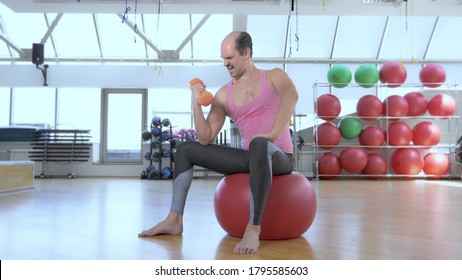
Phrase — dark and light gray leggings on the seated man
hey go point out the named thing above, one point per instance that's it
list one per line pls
(262, 161)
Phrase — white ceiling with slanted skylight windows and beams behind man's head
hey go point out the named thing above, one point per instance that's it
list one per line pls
(87, 31)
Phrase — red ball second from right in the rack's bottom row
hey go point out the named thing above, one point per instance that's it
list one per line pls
(407, 161)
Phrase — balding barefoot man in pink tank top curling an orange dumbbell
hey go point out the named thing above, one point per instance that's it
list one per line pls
(260, 103)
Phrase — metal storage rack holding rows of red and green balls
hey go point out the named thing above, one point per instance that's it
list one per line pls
(449, 144)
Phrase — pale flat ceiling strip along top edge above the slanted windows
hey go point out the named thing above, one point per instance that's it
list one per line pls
(242, 7)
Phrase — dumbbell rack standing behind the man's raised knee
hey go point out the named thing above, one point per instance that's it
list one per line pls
(160, 147)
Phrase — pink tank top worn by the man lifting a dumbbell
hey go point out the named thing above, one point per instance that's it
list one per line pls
(258, 115)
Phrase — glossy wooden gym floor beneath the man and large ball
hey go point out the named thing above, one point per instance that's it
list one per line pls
(99, 218)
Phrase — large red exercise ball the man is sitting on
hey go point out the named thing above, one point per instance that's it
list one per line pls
(289, 212)
